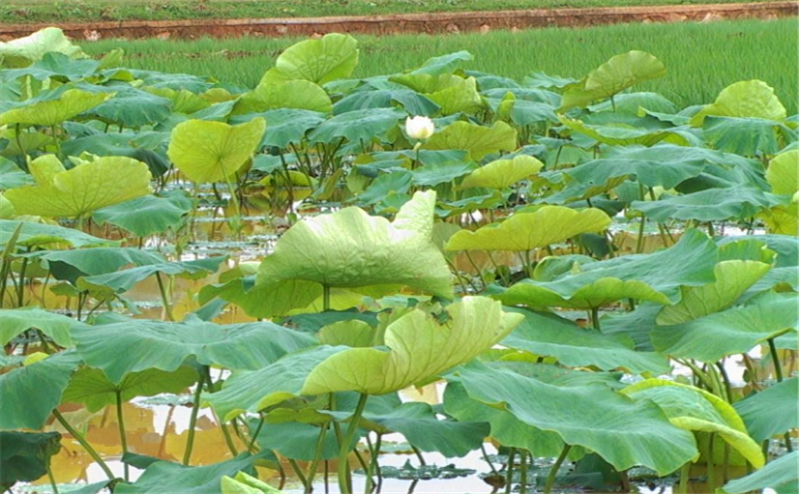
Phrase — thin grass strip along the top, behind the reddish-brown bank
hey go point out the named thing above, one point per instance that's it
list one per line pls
(22, 11)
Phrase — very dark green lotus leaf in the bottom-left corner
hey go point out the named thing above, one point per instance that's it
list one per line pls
(26, 456)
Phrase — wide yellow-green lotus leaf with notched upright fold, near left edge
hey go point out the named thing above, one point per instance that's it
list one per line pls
(76, 192)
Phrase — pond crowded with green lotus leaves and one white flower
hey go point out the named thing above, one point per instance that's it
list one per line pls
(546, 285)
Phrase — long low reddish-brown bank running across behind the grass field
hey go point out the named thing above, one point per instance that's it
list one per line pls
(451, 22)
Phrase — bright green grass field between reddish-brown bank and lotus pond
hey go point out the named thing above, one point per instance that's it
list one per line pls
(701, 59)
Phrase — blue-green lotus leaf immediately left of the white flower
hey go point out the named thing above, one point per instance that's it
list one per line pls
(357, 126)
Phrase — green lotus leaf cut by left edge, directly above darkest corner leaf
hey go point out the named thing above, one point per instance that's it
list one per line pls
(32, 391)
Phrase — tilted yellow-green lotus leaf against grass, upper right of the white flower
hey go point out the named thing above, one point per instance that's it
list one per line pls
(617, 74)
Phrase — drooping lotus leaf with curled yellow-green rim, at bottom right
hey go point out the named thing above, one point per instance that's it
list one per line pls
(694, 409)
